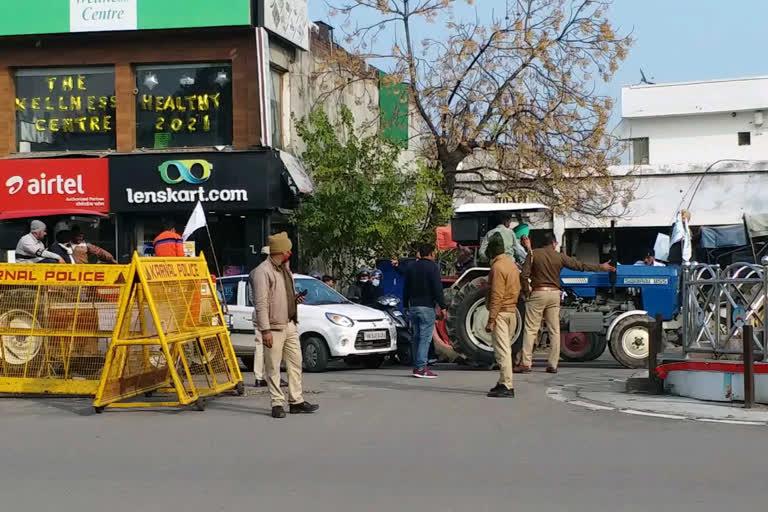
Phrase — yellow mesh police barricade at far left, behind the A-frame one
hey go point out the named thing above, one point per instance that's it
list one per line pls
(56, 323)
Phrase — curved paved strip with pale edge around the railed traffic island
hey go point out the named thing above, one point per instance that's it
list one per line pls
(606, 394)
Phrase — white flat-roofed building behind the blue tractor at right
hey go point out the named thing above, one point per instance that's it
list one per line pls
(701, 146)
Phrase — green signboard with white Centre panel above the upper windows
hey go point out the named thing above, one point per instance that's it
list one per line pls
(63, 16)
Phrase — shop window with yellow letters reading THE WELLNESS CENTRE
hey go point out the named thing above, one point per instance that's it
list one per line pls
(65, 109)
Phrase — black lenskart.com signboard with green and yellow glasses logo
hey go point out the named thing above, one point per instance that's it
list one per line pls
(222, 182)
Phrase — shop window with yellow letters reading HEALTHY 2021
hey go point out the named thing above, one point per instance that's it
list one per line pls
(186, 105)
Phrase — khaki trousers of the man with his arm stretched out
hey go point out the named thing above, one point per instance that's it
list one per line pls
(547, 304)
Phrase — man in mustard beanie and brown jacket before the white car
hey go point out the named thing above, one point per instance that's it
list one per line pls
(275, 315)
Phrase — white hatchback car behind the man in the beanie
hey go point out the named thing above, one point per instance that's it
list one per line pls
(330, 326)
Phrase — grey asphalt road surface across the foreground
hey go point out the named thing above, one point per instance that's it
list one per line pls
(381, 441)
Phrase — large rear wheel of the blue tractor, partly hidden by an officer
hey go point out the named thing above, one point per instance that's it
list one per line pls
(467, 318)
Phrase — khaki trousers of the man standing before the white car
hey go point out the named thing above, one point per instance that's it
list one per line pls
(285, 345)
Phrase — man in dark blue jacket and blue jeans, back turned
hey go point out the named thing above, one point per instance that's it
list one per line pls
(422, 294)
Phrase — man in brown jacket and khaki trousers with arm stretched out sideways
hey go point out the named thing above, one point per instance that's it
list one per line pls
(543, 267)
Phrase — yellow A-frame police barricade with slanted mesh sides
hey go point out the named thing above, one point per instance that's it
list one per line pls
(170, 334)
